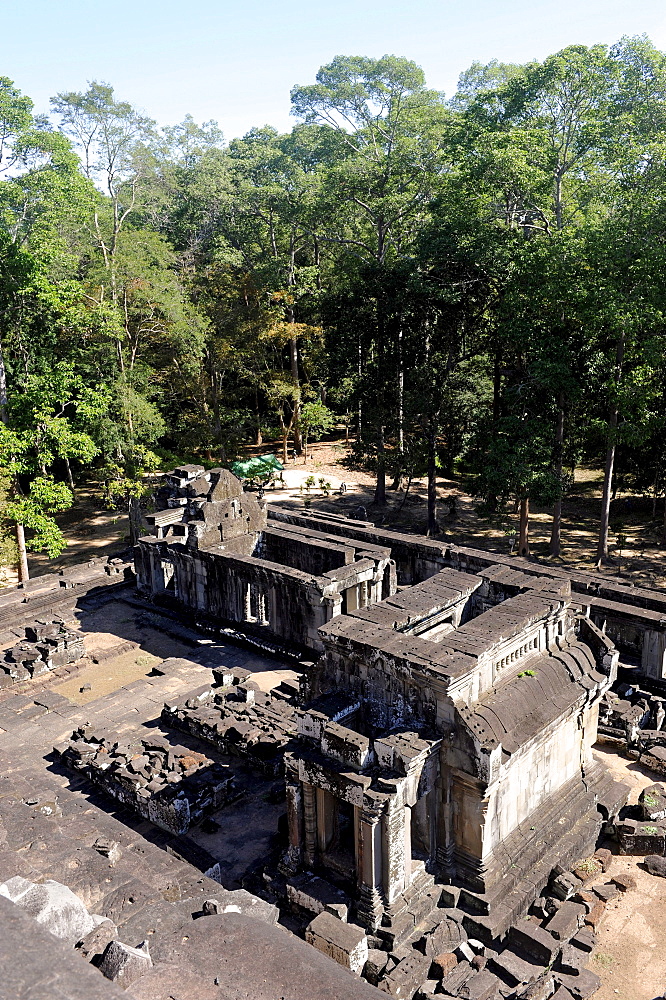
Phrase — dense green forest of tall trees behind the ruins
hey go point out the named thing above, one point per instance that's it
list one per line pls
(470, 283)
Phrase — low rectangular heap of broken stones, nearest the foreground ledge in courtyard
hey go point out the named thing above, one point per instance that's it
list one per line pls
(171, 786)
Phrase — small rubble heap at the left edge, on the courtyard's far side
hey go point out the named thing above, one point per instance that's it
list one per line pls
(47, 644)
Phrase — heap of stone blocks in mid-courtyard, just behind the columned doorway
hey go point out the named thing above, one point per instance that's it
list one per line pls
(238, 718)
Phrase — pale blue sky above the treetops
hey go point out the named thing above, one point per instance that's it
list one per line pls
(236, 61)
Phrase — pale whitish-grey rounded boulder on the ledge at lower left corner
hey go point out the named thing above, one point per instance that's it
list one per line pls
(52, 905)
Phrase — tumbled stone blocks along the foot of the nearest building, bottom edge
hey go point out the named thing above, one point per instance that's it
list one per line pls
(543, 955)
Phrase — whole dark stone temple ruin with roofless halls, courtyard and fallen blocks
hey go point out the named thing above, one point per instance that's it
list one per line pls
(422, 759)
